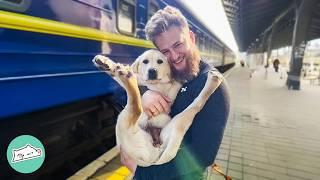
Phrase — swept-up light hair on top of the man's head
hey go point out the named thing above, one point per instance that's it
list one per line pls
(162, 20)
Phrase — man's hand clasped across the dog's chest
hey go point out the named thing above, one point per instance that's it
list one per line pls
(154, 103)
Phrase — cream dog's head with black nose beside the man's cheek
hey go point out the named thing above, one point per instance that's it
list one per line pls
(152, 67)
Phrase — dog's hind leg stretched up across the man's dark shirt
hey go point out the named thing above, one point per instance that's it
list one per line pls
(178, 126)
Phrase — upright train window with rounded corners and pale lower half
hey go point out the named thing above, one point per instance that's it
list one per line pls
(126, 16)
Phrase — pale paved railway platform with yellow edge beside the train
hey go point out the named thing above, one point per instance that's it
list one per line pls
(272, 132)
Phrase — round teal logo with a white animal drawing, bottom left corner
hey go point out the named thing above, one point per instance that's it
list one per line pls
(25, 154)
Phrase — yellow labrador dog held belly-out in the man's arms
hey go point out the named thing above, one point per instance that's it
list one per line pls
(152, 69)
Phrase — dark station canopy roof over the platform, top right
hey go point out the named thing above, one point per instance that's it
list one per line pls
(252, 21)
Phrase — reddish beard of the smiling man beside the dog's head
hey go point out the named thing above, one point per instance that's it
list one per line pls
(190, 71)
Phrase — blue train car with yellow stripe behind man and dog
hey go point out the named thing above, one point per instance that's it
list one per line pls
(49, 87)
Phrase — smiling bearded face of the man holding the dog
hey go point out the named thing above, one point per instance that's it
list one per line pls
(178, 45)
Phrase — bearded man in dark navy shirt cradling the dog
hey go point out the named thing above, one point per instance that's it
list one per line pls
(168, 30)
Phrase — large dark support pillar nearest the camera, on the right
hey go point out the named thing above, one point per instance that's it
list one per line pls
(304, 12)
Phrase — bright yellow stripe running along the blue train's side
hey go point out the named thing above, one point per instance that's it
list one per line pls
(34, 24)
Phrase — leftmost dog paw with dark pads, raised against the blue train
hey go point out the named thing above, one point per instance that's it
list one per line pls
(104, 64)
